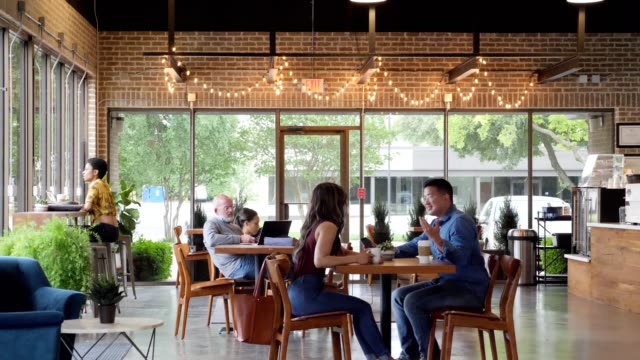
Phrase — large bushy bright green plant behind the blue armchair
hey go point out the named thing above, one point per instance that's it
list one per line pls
(63, 251)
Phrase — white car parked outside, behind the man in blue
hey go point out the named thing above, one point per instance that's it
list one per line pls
(490, 212)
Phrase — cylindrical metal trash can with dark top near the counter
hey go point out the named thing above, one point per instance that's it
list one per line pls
(522, 243)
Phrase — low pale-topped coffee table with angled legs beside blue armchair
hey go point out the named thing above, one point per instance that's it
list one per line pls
(121, 326)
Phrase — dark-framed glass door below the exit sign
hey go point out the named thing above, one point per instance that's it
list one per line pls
(305, 158)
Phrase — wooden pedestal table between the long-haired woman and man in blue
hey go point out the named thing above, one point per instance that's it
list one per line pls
(386, 269)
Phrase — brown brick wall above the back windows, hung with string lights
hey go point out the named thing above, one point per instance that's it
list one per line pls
(130, 80)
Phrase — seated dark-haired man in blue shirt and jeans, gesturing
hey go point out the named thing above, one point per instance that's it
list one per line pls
(453, 240)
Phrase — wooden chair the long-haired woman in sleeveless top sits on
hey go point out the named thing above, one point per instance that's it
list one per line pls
(284, 324)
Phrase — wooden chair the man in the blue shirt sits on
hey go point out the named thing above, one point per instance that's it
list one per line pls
(489, 321)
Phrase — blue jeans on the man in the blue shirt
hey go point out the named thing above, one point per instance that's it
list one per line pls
(412, 307)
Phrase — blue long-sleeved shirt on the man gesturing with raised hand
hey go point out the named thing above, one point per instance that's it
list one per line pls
(460, 248)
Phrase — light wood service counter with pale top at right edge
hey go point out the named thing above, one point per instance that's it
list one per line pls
(610, 274)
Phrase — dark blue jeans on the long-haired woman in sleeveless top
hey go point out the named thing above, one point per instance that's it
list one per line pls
(307, 297)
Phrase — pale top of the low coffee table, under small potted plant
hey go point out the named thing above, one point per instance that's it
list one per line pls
(121, 324)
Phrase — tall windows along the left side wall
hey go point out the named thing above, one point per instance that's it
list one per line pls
(40, 124)
